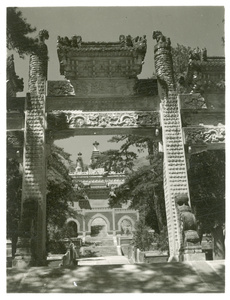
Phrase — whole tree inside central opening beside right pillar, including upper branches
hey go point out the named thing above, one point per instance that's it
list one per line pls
(142, 189)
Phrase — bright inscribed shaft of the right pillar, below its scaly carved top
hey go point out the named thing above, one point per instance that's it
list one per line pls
(175, 172)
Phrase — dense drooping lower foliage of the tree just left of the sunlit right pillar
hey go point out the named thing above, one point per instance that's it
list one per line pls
(143, 189)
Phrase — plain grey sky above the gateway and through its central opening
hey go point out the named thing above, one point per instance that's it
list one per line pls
(188, 25)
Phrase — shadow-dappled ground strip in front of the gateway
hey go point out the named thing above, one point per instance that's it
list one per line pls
(139, 278)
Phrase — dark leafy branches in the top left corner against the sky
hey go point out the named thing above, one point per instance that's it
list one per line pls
(17, 31)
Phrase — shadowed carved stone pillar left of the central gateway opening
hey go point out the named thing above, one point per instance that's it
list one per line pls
(32, 242)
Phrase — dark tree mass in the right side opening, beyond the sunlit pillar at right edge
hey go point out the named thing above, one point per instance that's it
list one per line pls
(207, 189)
